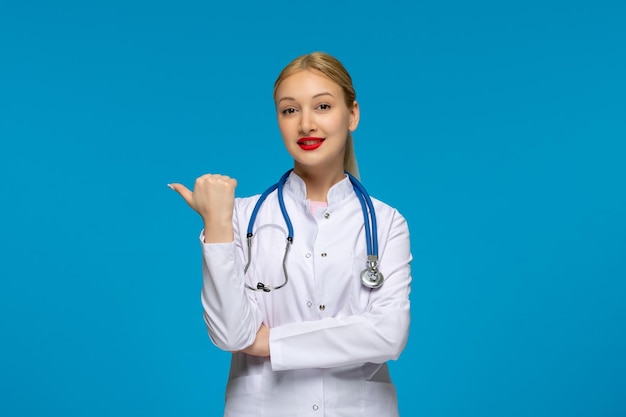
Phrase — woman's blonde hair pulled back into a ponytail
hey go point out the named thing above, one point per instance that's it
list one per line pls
(332, 68)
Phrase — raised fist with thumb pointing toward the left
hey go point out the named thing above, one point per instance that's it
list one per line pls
(213, 198)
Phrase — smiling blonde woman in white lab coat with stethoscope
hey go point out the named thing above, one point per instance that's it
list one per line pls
(310, 327)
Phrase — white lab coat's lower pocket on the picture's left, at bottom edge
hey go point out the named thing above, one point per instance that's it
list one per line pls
(243, 396)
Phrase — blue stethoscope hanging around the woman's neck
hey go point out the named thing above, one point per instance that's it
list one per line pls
(370, 277)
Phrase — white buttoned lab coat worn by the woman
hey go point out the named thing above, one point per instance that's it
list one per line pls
(330, 336)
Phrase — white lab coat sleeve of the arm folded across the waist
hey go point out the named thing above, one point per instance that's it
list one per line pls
(377, 335)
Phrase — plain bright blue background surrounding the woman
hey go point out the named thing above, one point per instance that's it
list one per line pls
(497, 128)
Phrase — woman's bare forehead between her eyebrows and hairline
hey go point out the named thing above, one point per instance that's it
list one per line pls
(305, 84)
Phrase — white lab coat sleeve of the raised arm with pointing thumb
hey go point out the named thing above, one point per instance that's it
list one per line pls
(231, 313)
